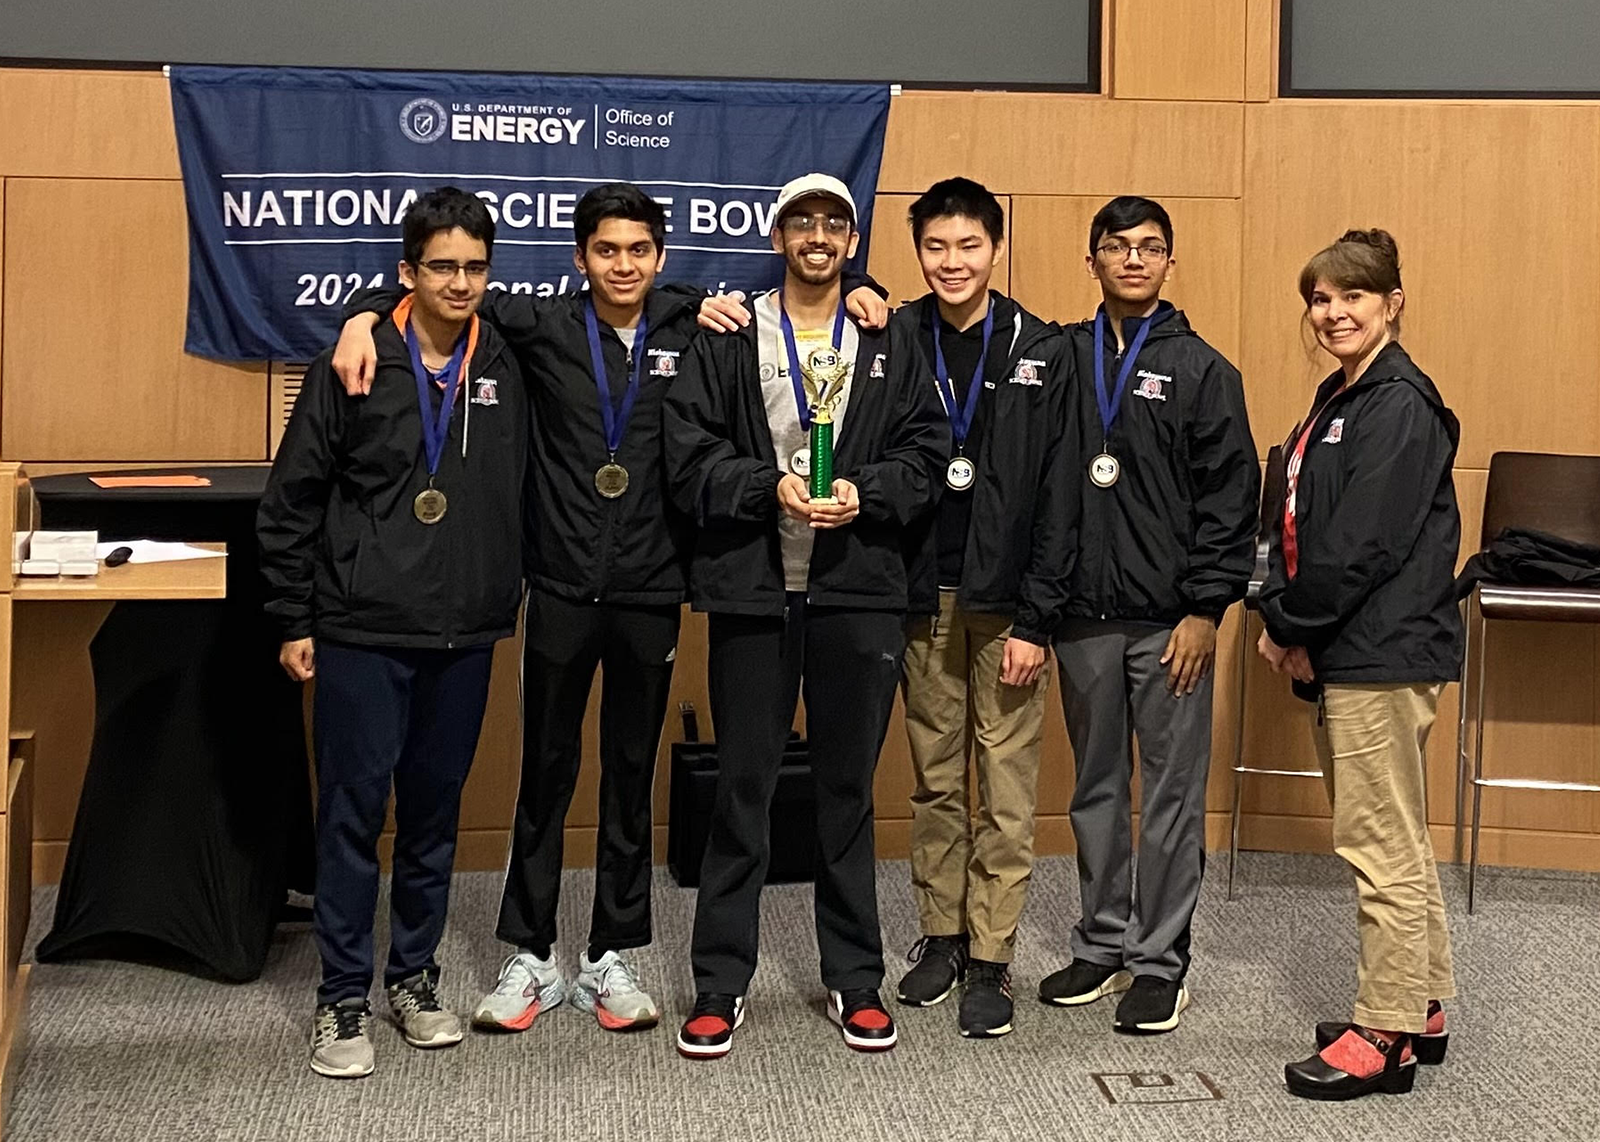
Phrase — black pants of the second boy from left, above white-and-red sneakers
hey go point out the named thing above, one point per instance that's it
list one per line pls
(564, 644)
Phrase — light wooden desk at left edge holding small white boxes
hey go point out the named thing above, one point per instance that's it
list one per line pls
(204, 578)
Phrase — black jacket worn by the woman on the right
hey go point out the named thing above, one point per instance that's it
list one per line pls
(1378, 532)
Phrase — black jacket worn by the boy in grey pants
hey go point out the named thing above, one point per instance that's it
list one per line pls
(1177, 533)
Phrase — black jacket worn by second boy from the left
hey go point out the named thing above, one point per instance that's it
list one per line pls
(577, 543)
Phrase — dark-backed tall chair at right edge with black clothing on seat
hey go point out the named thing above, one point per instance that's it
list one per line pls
(1559, 495)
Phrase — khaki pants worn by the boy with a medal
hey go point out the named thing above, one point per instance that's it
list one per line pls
(970, 872)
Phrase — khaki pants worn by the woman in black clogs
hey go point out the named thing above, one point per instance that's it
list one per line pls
(1370, 743)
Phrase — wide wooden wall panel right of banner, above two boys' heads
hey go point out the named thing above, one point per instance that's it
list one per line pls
(1063, 145)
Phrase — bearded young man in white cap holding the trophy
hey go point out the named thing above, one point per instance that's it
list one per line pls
(802, 593)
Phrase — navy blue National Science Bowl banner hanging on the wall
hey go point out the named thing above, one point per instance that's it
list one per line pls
(297, 180)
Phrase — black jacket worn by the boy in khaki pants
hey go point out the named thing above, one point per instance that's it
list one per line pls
(1023, 530)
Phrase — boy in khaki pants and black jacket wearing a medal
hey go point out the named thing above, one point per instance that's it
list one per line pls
(988, 594)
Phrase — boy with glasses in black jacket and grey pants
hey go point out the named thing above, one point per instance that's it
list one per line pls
(1169, 487)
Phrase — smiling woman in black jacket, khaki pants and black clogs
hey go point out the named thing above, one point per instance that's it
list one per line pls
(1361, 612)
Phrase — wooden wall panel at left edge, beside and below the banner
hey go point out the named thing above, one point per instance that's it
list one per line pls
(94, 364)
